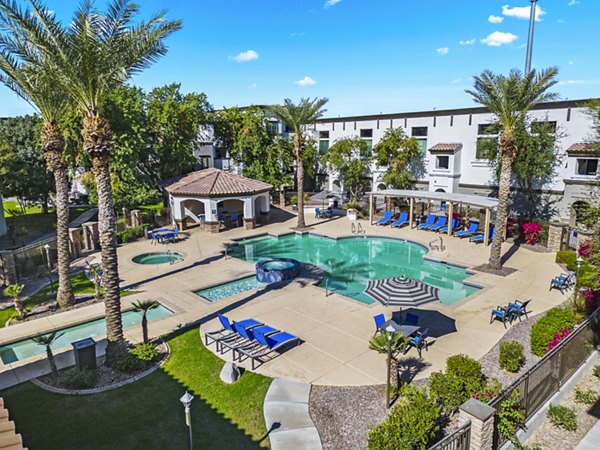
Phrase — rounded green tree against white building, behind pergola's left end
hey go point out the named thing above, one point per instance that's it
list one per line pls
(402, 157)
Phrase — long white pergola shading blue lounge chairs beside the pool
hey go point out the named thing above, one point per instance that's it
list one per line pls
(451, 200)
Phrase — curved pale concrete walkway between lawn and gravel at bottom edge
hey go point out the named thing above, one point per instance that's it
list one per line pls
(288, 420)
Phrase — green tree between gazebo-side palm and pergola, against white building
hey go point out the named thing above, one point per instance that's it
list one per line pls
(351, 157)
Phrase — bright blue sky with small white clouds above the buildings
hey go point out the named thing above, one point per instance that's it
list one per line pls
(366, 56)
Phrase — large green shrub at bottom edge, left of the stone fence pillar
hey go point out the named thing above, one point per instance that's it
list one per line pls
(412, 424)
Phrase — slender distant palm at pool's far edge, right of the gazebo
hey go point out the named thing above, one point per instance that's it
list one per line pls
(297, 117)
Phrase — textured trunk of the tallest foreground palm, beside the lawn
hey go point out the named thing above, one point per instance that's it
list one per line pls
(97, 142)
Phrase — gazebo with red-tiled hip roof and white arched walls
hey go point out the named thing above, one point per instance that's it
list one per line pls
(212, 197)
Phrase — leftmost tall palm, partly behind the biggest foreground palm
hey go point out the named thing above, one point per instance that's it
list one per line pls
(34, 83)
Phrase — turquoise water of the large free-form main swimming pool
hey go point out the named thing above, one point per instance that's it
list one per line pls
(349, 263)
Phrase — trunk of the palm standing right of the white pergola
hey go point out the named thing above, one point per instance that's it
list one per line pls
(502, 212)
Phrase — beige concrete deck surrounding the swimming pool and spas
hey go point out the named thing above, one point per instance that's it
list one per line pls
(335, 330)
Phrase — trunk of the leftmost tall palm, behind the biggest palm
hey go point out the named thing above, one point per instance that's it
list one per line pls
(53, 144)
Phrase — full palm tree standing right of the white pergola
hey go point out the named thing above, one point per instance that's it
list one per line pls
(509, 98)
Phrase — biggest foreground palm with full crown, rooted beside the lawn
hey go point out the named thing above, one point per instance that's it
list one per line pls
(96, 53)
